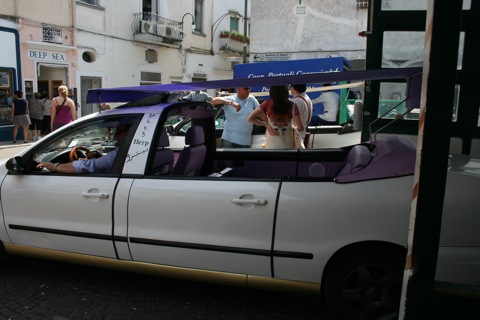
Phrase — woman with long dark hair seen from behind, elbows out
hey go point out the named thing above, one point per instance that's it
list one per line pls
(279, 115)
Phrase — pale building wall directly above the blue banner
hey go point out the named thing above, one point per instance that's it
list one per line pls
(308, 29)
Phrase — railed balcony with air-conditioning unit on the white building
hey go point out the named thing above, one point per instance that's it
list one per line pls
(152, 28)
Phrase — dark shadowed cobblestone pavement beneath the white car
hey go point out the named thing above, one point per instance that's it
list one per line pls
(38, 289)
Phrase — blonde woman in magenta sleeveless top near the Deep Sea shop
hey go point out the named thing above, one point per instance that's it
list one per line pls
(62, 110)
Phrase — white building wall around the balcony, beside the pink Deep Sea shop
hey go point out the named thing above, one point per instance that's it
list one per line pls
(106, 33)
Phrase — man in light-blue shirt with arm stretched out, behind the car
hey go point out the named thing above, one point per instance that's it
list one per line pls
(237, 131)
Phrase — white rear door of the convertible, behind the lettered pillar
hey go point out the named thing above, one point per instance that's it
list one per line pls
(191, 213)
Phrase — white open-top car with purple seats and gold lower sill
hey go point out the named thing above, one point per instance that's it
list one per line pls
(327, 221)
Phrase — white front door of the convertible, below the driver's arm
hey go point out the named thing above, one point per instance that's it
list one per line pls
(28, 202)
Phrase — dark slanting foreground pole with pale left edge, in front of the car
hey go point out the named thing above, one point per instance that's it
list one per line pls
(439, 74)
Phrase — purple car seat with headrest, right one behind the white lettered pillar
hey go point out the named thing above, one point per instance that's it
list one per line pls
(190, 160)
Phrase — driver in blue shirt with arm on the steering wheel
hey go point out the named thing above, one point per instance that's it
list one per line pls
(90, 165)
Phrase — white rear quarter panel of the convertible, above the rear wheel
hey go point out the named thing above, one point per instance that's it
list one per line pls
(322, 211)
